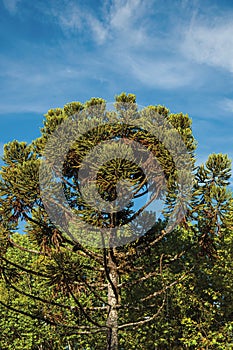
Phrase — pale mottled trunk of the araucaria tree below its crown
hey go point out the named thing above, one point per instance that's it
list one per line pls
(113, 301)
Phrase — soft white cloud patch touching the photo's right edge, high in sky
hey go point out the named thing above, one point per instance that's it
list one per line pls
(210, 43)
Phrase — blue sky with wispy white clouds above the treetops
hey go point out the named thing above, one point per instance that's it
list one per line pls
(175, 53)
